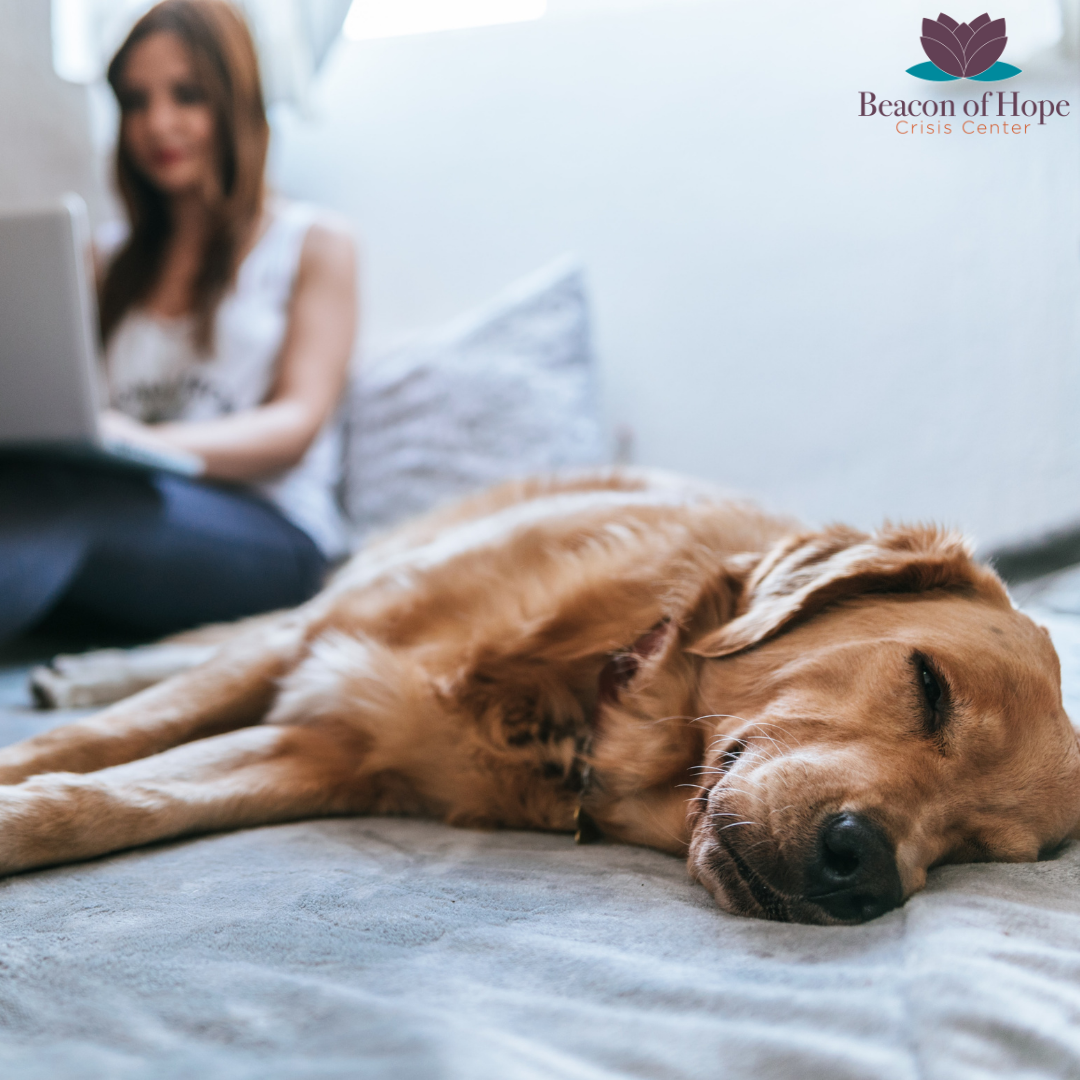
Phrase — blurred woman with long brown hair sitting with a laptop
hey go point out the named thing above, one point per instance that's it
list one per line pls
(228, 319)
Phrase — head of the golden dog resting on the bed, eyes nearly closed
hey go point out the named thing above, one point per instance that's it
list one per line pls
(882, 709)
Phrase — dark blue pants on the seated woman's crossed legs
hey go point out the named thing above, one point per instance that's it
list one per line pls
(154, 552)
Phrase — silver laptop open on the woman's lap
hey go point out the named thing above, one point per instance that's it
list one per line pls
(51, 374)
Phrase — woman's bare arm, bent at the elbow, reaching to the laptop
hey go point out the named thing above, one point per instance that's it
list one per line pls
(315, 362)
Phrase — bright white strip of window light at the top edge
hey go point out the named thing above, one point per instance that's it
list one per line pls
(387, 19)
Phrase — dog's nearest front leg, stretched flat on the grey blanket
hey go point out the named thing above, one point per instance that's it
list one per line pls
(254, 777)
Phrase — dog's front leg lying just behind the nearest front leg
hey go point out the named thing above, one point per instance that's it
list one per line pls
(232, 691)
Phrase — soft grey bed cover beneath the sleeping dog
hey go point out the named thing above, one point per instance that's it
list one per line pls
(387, 949)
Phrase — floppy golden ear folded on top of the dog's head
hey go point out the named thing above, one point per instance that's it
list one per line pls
(803, 574)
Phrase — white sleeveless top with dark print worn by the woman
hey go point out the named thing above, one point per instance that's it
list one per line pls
(156, 375)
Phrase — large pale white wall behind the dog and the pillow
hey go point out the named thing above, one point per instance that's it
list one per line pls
(791, 300)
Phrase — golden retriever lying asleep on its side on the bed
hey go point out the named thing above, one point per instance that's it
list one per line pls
(813, 719)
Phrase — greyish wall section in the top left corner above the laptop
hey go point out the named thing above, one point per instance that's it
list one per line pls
(45, 139)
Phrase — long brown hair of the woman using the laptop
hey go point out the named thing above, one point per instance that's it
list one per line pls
(226, 69)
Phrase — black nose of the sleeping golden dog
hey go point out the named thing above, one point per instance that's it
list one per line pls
(853, 873)
